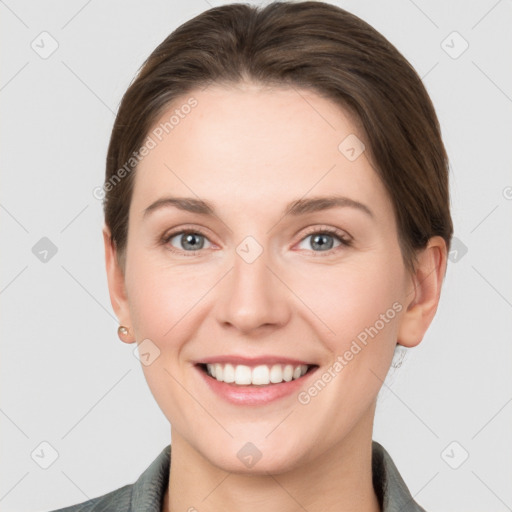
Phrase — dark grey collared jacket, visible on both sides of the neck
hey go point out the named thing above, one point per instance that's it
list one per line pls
(147, 493)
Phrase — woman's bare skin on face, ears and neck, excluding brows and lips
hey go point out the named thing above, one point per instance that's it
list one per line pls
(250, 151)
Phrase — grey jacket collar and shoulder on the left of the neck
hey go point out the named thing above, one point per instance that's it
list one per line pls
(145, 494)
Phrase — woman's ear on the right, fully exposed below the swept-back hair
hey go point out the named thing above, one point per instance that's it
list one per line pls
(427, 279)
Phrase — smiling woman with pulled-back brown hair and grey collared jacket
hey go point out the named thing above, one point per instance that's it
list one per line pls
(276, 223)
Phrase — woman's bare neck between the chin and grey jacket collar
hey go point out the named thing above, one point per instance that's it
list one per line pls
(340, 479)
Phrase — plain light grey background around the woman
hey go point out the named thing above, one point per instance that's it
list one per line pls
(68, 381)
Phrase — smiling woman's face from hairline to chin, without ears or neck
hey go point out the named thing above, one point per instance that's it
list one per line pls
(258, 268)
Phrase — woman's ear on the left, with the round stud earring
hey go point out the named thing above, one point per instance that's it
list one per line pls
(116, 285)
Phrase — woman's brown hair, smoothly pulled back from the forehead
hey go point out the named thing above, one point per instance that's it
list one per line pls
(311, 45)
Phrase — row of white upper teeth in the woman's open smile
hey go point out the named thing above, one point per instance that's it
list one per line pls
(261, 375)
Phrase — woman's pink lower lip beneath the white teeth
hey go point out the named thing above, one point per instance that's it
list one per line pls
(254, 395)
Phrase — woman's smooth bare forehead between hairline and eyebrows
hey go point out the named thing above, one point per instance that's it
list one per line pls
(246, 141)
